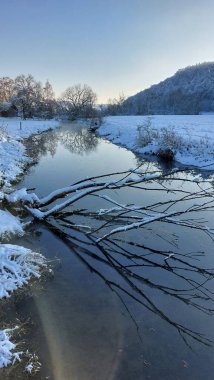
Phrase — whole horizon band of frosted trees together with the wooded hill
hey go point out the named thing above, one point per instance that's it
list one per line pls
(189, 91)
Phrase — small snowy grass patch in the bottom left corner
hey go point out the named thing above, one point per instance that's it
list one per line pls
(7, 353)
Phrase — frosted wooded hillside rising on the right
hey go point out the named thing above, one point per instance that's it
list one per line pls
(189, 91)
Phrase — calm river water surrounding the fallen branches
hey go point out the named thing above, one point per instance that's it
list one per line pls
(90, 323)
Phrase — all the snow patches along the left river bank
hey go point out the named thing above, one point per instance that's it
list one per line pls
(17, 264)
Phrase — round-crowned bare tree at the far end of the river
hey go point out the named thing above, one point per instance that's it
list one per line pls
(79, 101)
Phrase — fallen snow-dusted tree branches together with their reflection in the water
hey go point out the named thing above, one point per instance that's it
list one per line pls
(116, 236)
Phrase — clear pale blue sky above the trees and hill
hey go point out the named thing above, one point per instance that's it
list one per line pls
(114, 46)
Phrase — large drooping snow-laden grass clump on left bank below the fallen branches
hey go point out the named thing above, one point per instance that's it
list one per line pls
(17, 266)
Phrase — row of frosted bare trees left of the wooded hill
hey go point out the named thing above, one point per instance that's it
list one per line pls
(28, 98)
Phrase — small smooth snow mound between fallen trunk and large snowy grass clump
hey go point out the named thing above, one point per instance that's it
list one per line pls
(9, 225)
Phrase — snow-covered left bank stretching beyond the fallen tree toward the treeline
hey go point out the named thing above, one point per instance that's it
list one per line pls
(13, 157)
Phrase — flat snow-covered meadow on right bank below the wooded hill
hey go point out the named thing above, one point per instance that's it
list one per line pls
(195, 135)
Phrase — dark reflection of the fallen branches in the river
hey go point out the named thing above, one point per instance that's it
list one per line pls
(140, 272)
